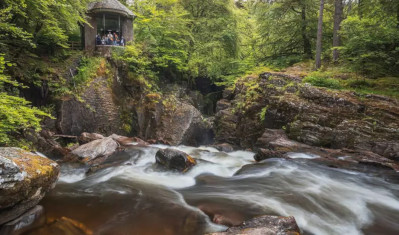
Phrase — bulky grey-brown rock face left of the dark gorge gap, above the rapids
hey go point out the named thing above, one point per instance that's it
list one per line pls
(172, 121)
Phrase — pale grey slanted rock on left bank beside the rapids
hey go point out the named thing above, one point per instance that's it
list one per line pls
(93, 152)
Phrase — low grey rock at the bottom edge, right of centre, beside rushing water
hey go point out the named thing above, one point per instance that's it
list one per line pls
(265, 225)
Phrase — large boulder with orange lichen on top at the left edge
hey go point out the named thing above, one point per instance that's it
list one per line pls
(24, 179)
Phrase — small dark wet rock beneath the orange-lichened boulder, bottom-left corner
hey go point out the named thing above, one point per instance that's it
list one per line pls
(33, 217)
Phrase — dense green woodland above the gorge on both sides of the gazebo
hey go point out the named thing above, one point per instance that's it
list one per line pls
(182, 40)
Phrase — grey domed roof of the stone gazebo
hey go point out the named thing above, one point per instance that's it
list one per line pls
(110, 6)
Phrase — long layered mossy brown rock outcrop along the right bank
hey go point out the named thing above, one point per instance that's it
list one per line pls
(311, 115)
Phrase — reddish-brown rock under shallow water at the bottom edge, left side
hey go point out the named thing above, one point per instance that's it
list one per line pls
(62, 226)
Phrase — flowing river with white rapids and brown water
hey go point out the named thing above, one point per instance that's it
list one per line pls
(137, 198)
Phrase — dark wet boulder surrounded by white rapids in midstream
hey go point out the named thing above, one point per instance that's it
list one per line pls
(174, 160)
